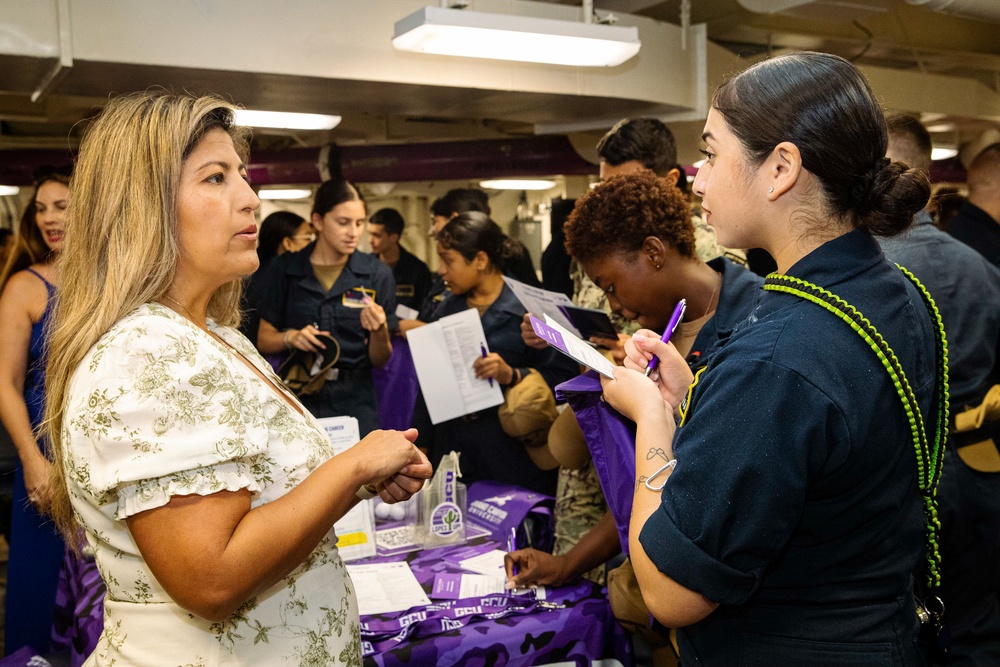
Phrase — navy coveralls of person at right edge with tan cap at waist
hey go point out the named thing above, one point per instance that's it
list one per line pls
(966, 289)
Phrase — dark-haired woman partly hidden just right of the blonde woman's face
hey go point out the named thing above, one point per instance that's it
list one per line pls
(280, 232)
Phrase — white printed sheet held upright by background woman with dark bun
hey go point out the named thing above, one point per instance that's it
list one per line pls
(443, 353)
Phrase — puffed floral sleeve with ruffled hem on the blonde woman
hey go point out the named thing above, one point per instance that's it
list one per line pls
(155, 411)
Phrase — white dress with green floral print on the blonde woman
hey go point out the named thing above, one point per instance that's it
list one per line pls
(158, 408)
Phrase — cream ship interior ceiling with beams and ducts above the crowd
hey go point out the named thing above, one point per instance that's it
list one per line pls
(414, 125)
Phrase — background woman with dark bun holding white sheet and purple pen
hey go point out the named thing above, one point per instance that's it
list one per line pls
(473, 249)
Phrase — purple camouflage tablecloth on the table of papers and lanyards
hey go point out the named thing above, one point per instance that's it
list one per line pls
(574, 625)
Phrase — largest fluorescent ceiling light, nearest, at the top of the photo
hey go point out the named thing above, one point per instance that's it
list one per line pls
(456, 32)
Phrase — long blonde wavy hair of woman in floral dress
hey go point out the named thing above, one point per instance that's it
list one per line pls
(120, 249)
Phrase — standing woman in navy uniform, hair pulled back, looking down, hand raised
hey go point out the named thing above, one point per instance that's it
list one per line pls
(329, 288)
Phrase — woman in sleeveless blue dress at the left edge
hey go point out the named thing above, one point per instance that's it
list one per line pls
(28, 285)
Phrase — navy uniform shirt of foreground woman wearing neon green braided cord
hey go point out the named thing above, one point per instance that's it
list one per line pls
(794, 502)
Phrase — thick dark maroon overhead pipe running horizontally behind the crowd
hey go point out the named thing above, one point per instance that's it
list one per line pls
(455, 160)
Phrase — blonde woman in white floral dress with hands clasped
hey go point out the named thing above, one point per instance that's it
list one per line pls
(206, 491)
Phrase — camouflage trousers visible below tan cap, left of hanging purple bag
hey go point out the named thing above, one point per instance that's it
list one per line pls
(579, 506)
